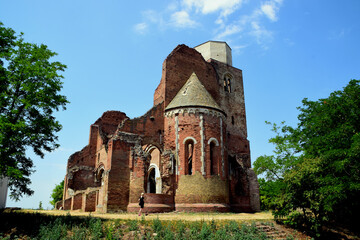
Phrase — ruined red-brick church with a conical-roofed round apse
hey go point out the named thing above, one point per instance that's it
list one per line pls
(189, 152)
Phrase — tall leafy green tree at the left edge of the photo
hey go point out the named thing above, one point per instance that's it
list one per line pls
(29, 95)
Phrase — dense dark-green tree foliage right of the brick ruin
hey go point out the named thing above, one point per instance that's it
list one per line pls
(324, 180)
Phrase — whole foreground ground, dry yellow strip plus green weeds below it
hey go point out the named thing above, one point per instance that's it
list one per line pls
(36, 224)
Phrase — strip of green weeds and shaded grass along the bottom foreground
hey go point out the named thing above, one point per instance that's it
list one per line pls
(40, 226)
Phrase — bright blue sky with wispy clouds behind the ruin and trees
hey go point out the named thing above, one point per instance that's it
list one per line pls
(114, 50)
